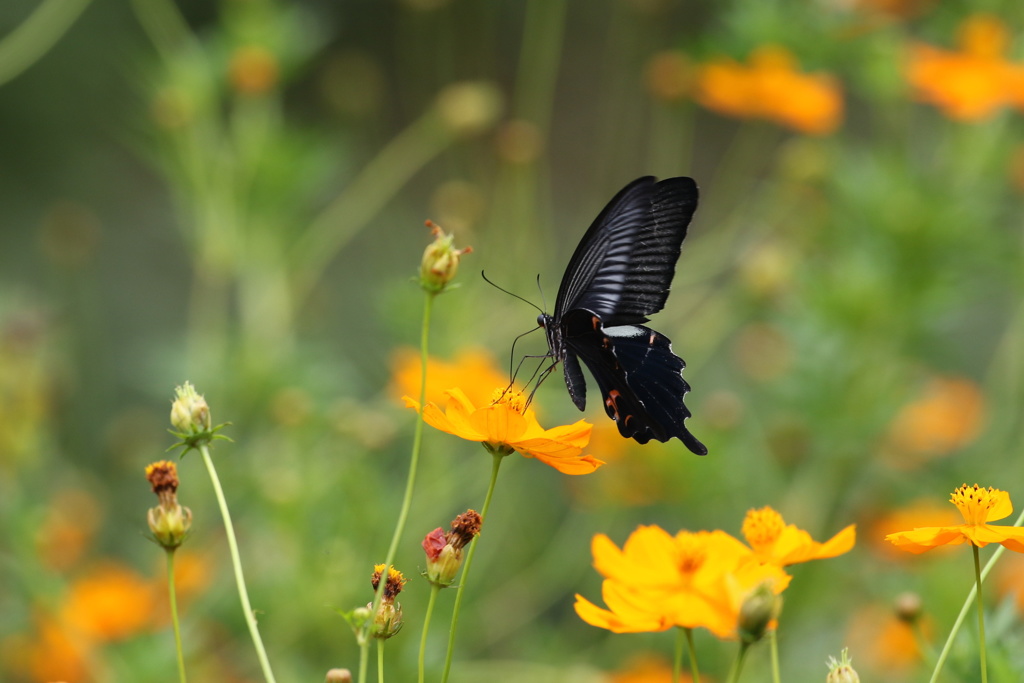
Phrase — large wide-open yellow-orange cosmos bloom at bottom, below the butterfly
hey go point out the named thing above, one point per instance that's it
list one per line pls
(658, 581)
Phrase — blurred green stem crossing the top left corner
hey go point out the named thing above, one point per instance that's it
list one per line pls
(36, 35)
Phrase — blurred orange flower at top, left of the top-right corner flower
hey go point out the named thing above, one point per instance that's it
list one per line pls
(772, 89)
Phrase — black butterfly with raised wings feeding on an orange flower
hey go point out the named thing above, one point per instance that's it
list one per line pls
(620, 275)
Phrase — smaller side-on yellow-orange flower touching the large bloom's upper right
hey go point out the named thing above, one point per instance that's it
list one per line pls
(776, 542)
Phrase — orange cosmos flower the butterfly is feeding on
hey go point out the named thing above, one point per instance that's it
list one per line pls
(506, 424)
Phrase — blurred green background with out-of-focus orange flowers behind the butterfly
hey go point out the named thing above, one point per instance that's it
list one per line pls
(234, 194)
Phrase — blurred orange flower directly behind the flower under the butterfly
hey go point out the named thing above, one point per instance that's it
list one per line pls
(475, 371)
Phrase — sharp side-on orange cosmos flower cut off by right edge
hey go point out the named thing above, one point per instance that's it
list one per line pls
(979, 506)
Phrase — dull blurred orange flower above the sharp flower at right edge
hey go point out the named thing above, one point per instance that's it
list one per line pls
(948, 416)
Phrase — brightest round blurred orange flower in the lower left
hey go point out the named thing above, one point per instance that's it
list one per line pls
(110, 603)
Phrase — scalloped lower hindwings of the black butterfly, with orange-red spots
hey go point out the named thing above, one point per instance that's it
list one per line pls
(638, 375)
